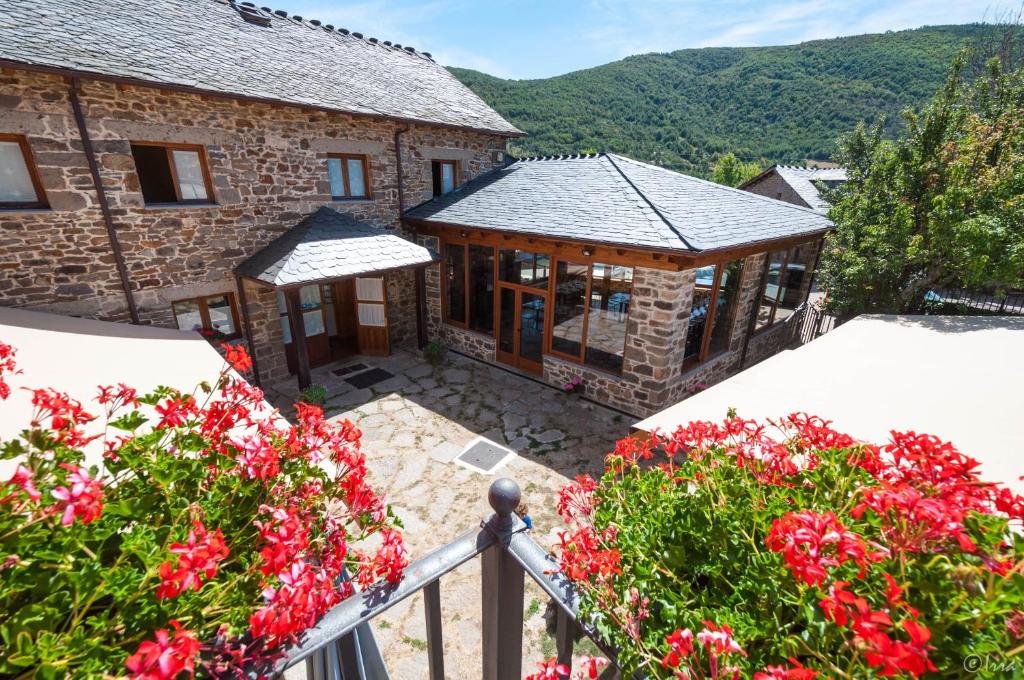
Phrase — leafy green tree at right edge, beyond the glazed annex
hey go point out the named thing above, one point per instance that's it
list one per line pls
(943, 205)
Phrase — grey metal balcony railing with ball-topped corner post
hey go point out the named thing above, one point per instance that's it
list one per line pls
(342, 647)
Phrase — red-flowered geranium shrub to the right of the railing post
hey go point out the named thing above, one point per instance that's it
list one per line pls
(789, 550)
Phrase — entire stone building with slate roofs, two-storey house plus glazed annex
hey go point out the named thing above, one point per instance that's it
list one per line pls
(319, 194)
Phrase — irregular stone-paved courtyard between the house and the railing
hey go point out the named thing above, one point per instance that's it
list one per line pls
(414, 424)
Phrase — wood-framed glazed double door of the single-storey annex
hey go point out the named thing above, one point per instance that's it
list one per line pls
(522, 316)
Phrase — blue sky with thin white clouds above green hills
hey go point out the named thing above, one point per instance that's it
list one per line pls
(537, 38)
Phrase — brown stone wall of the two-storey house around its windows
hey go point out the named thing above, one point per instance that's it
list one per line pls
(268, 166)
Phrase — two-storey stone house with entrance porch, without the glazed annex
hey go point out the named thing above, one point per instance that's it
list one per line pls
(148, 149)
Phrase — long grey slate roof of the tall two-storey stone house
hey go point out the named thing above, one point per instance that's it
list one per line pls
(207, 46)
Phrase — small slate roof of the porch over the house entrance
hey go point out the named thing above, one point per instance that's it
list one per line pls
(329, 244)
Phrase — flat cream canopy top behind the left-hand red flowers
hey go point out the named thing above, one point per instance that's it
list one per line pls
(76, 356)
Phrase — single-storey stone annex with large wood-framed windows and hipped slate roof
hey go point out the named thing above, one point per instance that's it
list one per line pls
(643, 283)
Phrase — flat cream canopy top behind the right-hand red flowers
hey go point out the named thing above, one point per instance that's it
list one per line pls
(960, 378)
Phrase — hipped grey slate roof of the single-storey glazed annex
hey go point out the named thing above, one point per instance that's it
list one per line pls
(609, 199)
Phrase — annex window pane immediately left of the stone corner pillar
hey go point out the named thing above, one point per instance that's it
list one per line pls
(611, 293)
